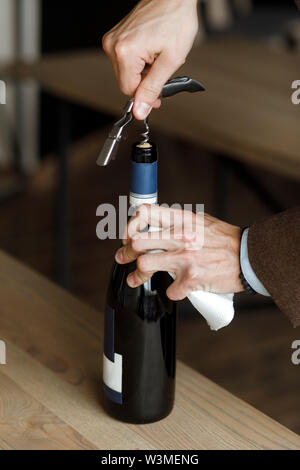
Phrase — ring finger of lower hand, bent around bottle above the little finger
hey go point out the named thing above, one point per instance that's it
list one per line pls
(148, 264)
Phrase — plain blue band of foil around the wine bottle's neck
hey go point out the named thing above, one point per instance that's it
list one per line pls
(144, 178)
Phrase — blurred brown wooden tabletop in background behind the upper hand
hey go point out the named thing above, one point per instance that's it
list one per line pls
(246, 112)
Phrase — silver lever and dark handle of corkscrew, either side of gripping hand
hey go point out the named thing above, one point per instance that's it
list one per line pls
(172, 87)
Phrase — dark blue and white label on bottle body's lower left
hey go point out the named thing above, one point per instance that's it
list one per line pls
(112, 362)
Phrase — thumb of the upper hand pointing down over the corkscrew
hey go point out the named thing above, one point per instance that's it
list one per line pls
(151, 86)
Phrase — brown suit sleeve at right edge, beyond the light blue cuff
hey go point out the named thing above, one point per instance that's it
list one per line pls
(274, 254)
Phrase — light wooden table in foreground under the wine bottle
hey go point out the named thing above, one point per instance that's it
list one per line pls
(50, 388)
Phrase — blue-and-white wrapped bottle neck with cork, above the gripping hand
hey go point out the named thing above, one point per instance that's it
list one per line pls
(143, 175)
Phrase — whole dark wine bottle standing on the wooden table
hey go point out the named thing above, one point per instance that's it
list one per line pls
(140, 325)
